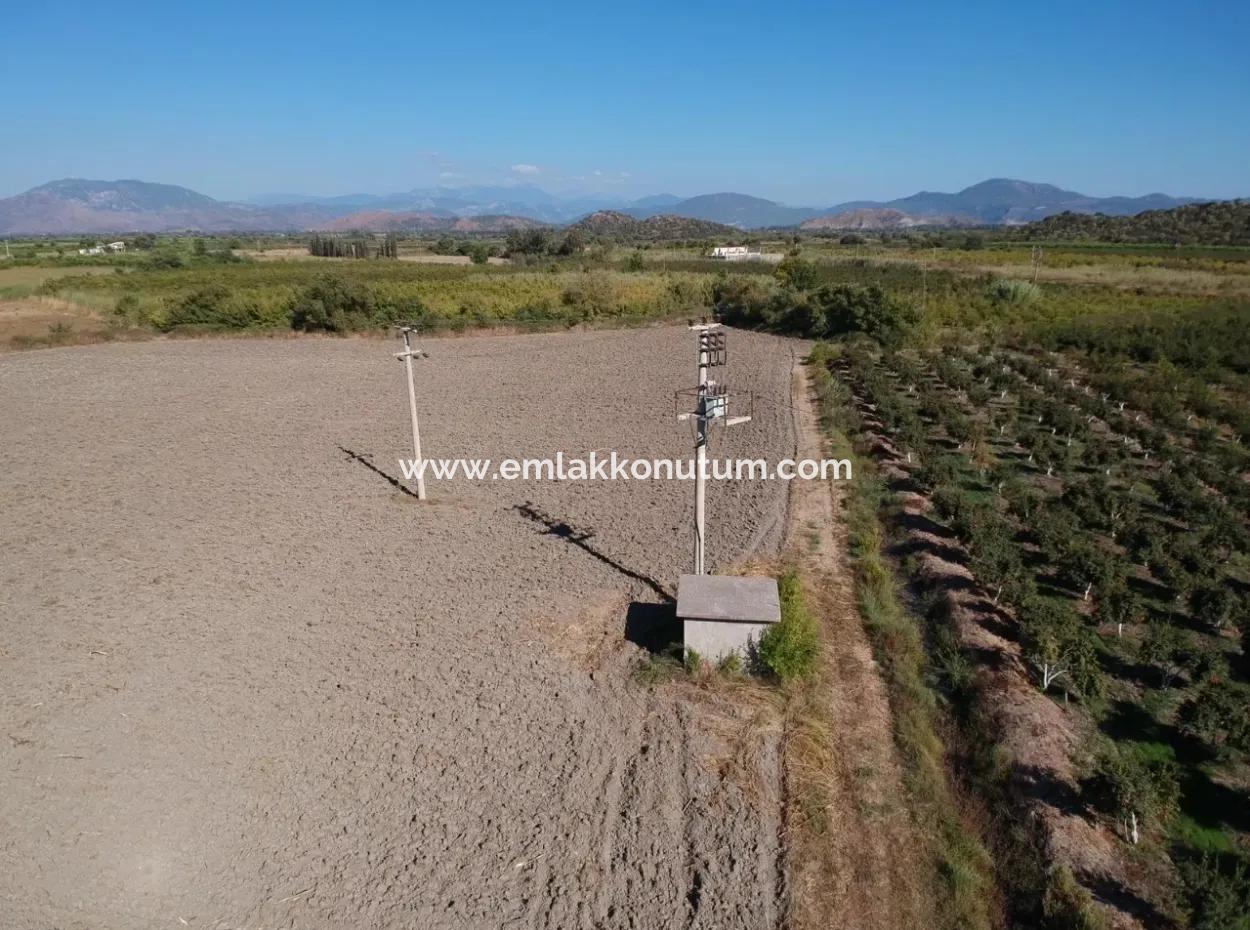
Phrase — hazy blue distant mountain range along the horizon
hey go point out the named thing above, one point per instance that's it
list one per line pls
(81, 207)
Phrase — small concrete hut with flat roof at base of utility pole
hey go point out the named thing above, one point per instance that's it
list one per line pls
(722, 614)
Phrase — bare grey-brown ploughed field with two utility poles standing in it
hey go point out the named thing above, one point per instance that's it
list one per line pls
(248, 683)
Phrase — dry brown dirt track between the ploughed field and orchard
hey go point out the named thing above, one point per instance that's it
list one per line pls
(868, 868)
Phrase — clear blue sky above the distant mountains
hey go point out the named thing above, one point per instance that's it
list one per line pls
(801, 103)
